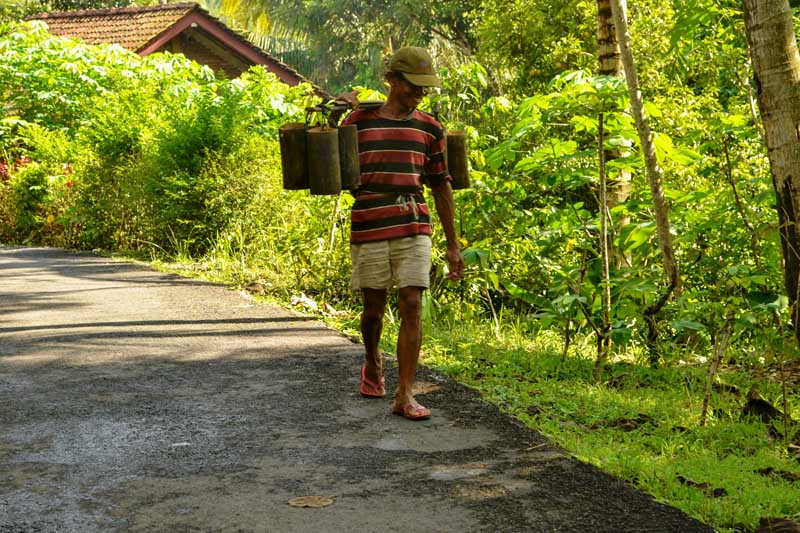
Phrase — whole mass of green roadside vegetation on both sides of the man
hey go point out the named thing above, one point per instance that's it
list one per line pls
(696, 403)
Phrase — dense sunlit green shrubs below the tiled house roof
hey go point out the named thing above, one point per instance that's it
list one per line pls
(150, 144)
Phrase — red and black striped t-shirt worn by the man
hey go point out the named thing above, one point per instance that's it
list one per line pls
(397, 156)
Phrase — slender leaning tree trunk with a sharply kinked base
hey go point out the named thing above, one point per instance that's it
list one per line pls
(653, 177)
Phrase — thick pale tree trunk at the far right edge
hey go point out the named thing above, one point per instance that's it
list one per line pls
(776, 68)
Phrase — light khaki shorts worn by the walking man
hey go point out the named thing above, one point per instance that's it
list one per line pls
(403, 262)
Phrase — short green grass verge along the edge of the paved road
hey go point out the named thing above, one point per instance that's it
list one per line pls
(639, 424)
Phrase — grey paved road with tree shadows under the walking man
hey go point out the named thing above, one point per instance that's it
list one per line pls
(131, 400)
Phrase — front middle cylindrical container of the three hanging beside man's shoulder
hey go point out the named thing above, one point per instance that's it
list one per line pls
(322, 149)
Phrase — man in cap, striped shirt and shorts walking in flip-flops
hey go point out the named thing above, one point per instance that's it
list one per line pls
(400, 149)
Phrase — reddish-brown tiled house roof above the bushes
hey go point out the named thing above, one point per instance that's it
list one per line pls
(145, 30)
